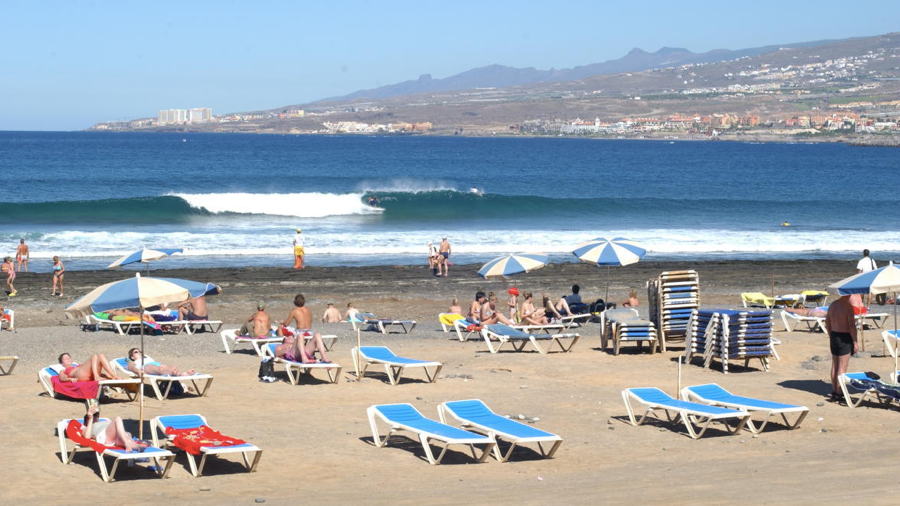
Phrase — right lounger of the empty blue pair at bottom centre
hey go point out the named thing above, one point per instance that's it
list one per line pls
(475, 414)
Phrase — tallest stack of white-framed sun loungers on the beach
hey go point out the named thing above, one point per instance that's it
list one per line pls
(672, 296)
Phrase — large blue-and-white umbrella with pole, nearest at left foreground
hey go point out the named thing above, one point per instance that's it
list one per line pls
(139, 292)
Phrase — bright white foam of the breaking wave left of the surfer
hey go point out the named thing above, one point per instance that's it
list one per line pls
(301, 205)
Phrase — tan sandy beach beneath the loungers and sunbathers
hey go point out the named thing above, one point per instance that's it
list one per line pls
(316, 439)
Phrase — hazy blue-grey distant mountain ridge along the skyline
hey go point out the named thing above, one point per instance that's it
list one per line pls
(501, 76)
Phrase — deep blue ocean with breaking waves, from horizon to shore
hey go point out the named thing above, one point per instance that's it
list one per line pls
(235, 200)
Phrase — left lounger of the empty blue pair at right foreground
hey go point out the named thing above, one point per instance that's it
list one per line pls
(691, 413)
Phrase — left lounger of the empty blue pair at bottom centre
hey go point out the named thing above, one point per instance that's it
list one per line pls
(407, 418)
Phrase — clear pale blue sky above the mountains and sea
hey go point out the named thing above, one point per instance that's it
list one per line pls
(65, 65)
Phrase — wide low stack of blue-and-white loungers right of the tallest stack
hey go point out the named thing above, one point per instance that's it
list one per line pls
(729, 335)
